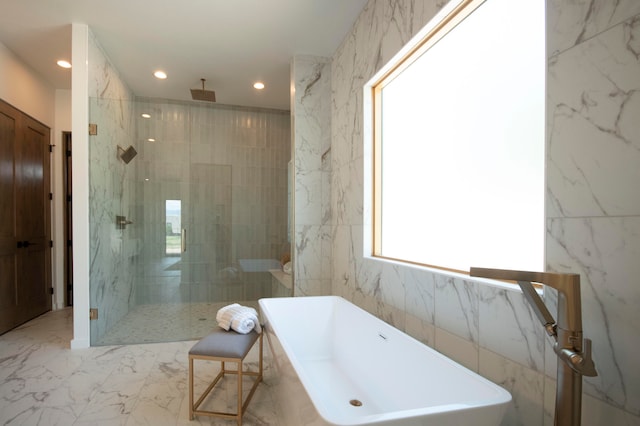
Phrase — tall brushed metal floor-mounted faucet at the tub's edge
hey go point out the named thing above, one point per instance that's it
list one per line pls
(574, 353)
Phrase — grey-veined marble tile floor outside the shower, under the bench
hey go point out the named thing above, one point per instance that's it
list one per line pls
(44, 382)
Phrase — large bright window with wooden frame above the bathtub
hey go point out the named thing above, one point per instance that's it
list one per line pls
(458, 131)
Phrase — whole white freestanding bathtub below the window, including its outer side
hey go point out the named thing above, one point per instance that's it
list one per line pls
(335, 364)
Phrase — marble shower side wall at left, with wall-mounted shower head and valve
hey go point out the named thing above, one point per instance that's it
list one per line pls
(111, 186)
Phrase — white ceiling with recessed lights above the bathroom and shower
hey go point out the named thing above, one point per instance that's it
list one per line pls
(230, 43)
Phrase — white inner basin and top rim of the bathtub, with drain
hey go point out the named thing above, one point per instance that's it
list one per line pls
(341, 353)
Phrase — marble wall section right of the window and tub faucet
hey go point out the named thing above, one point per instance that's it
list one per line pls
(593, 163)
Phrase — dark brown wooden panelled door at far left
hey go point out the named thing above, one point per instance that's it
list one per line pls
(25, 252)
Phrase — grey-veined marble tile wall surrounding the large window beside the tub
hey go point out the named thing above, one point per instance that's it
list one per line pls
(593, 214)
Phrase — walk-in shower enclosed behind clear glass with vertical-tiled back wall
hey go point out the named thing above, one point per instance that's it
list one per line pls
(206, 205)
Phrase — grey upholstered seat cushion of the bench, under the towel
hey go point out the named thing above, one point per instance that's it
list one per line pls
(225, 344)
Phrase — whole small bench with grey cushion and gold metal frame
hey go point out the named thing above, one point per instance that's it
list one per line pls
(224, 346)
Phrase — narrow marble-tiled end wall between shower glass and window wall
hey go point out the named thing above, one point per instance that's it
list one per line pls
(311, 118)
